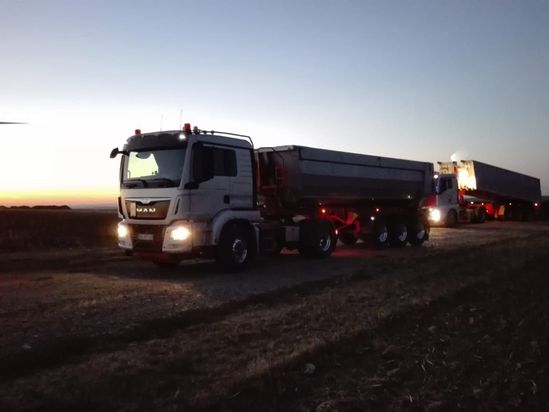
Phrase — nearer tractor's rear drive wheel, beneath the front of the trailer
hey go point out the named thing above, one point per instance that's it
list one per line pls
(317, 239)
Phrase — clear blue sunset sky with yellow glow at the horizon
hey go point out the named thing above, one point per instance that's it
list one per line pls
(417, 79)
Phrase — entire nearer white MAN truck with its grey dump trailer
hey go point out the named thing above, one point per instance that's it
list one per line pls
(194, 193)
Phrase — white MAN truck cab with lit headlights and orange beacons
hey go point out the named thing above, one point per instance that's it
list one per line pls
(184, 193)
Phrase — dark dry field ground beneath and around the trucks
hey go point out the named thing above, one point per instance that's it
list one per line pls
(457, 324)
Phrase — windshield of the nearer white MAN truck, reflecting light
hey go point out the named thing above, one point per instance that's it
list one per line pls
(153, 168)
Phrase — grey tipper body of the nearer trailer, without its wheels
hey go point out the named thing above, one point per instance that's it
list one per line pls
(295, 177)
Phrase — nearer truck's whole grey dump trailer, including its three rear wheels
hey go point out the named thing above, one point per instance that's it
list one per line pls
(363, 196)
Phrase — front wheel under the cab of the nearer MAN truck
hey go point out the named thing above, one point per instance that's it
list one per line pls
(235, 249)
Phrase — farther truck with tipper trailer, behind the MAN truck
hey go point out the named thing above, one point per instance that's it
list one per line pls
(471, 191)
